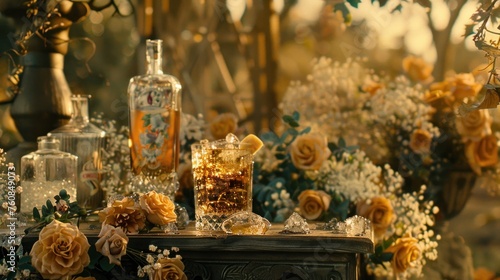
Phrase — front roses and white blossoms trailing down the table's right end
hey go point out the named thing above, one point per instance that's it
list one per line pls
(300, 171)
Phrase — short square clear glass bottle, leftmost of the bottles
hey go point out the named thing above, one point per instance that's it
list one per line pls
(44, 173)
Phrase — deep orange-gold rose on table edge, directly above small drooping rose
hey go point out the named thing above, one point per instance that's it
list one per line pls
(124, 214)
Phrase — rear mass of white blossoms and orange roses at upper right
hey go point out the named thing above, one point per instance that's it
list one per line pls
(407, 121)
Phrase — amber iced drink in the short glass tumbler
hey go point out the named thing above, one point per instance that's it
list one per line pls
(223, 185)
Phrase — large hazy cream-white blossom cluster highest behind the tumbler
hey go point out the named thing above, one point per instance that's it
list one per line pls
(332, 102)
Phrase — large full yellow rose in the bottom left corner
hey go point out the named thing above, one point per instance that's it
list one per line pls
(60, 251)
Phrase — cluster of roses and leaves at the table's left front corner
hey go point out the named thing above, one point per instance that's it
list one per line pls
(62, 251)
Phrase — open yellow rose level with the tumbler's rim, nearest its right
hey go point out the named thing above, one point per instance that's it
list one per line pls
(309, 151)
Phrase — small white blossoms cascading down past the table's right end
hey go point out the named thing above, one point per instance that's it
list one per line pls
(357, 179)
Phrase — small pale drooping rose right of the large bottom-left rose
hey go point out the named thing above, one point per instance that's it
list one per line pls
(112, 243)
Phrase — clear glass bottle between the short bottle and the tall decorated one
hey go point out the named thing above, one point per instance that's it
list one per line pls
(85, 140)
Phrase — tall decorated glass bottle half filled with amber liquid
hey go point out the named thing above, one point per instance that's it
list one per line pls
(154, 120)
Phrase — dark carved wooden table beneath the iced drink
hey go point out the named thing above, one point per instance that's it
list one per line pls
(318, 255)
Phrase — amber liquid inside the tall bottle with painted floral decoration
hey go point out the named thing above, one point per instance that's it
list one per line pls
(160, 155)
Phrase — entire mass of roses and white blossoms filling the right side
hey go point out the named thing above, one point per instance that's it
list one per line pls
(407, 124)
